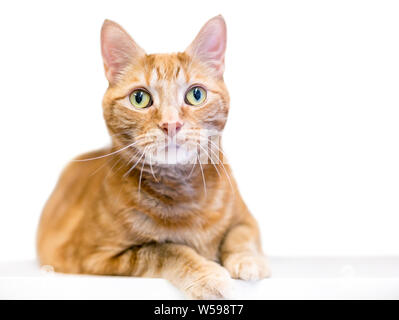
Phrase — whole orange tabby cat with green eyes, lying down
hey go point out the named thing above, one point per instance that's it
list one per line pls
(160, 202)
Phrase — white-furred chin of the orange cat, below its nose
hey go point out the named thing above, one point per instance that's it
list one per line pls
(174, 155)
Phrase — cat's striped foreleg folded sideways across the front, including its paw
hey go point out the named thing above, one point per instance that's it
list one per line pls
(197, 276)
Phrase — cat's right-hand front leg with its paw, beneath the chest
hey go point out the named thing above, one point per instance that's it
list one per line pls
(241, 252)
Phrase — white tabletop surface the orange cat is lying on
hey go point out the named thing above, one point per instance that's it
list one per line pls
(293, 278)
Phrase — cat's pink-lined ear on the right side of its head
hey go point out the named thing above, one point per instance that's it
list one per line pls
(210, 45)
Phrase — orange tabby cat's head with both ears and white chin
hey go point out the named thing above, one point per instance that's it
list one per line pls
(165, 106)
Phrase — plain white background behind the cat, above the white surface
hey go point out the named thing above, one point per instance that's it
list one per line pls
(314, 125)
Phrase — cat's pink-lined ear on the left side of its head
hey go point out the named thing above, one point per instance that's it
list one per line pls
(118, 50)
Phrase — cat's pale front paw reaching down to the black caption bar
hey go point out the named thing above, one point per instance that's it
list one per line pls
(214, 283)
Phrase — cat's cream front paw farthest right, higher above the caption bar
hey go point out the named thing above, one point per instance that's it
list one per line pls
(247, 266)
